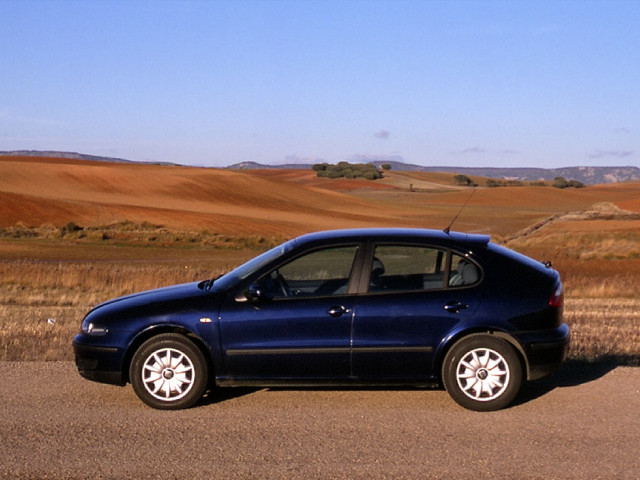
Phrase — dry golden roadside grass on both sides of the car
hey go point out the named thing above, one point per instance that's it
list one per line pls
(603, 315)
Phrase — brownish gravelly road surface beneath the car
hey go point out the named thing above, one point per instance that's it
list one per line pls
(584, 423)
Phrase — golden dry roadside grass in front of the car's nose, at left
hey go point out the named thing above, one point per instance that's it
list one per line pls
(44, 303)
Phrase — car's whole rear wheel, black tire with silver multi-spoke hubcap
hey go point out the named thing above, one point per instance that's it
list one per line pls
(482, 373)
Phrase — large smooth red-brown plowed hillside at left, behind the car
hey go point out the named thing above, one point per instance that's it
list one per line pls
(37, 191)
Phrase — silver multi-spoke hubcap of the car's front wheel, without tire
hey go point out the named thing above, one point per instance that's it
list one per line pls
(168, 374)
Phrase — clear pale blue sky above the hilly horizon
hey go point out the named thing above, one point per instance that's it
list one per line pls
(460, 83)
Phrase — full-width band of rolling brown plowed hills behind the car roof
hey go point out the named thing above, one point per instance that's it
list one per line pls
(276, 202)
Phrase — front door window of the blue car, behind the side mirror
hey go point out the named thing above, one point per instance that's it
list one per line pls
(322, 272)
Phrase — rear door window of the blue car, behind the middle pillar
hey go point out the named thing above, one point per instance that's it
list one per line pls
(398, 268)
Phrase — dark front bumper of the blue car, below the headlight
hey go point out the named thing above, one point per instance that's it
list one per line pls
(98, 363)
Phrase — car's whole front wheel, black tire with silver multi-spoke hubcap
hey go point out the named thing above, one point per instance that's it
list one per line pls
(169, 372)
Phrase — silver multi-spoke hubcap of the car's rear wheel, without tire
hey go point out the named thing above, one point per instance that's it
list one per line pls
(483, 374)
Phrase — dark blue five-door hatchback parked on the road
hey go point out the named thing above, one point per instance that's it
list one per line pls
(349, 307)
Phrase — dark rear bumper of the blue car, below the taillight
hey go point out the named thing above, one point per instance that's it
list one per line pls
(546, 352)
